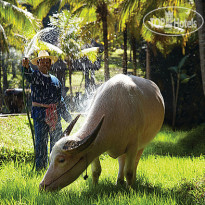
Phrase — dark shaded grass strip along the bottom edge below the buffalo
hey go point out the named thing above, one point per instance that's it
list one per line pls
(106, 192)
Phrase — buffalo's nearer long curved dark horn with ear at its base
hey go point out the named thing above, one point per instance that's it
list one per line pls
(74, 147)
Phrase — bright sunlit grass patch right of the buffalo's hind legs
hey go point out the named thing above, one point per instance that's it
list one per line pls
(169, 171)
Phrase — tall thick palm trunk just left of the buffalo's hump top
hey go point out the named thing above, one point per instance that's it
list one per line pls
(105, 39)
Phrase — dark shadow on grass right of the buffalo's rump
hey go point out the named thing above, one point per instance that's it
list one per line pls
(193, 144)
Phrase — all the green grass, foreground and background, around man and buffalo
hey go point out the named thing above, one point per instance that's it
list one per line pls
(170, 171)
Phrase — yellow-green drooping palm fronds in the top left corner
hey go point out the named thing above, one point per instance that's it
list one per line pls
(17, 24)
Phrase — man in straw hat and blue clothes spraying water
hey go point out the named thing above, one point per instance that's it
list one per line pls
(47, 105)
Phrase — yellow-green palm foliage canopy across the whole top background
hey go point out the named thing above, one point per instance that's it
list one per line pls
(111, 23)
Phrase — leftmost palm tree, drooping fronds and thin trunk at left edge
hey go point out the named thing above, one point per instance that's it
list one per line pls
(13, 21)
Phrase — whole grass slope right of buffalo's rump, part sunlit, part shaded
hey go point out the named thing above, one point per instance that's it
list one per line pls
(178, 143)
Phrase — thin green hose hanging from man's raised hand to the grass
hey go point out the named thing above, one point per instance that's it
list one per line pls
(28, 116)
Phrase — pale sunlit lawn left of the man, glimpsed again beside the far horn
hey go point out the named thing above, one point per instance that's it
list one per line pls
(15, 138)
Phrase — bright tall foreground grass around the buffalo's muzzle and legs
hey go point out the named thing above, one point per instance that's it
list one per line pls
(160, 180)
